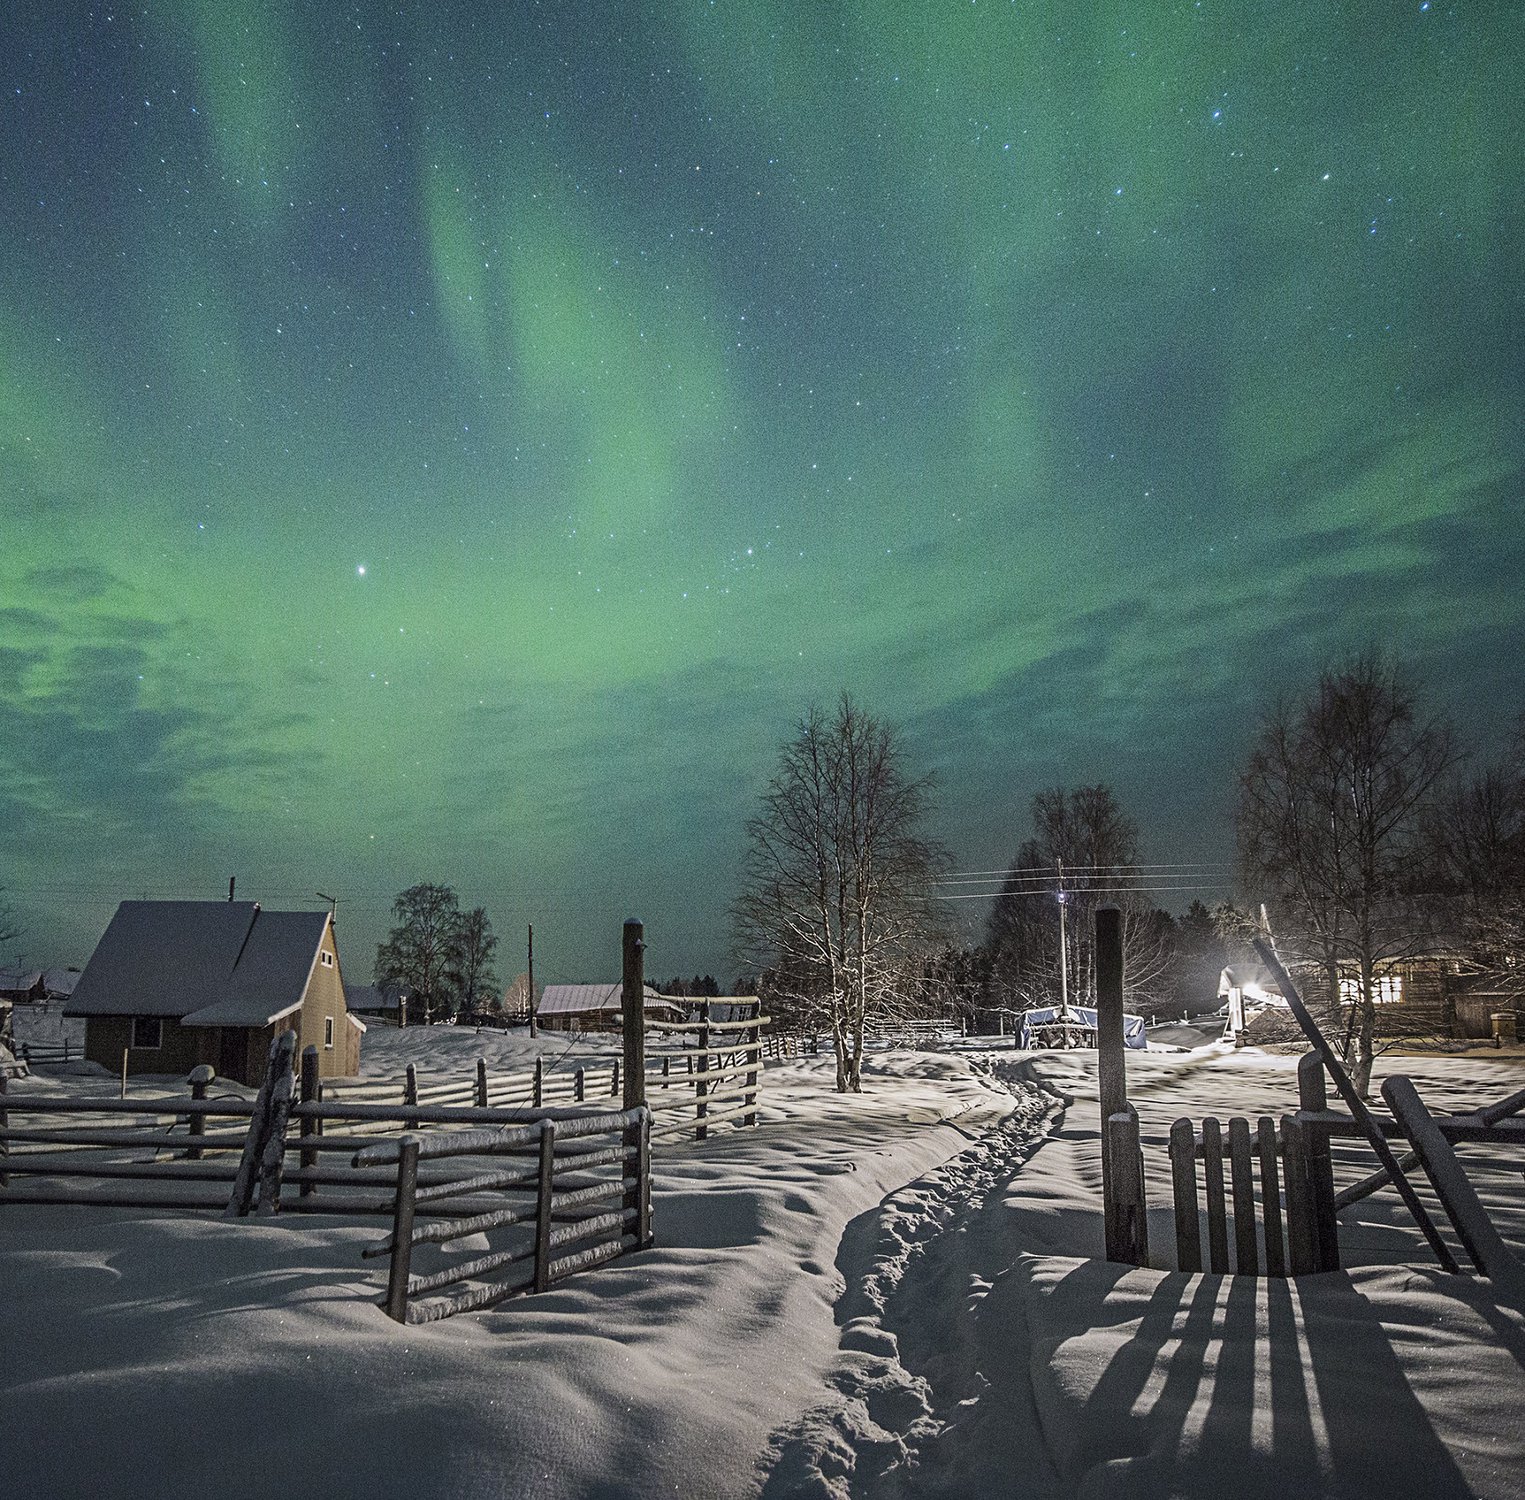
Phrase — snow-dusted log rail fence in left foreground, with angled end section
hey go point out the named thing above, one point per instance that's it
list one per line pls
(138, 1149)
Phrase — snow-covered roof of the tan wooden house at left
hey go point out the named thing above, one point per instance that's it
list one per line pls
(205, 963)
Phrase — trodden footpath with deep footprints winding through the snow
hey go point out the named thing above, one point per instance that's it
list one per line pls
(928, 1399)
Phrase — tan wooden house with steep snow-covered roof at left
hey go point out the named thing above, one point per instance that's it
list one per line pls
(175, 984)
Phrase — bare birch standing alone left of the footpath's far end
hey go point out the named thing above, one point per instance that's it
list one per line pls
(836, 903)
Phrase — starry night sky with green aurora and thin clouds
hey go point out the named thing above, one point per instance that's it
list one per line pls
(457, 441)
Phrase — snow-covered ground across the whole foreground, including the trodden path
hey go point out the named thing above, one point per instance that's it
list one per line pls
(879, 1296)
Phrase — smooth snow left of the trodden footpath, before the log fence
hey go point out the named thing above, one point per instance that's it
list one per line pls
(172, 1356)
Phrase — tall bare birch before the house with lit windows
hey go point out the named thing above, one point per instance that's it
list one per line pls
(1329, 821)
